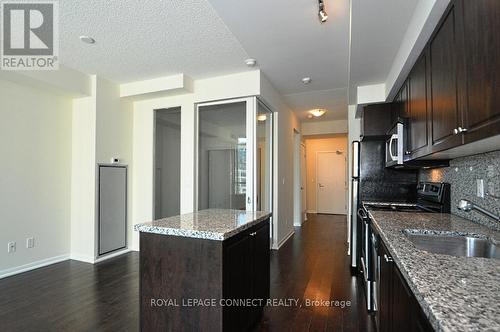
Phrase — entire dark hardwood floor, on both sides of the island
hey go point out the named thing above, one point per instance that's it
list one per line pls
(74, 296)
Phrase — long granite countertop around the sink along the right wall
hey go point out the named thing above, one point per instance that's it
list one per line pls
(455, 293)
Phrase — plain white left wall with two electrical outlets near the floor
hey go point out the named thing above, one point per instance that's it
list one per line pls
(35, 173)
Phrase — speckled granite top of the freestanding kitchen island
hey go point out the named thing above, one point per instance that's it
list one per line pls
(211, 224)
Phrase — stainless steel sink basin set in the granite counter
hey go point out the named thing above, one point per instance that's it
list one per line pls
(454, 245)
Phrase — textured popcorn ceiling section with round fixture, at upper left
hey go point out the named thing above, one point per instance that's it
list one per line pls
(142, 39)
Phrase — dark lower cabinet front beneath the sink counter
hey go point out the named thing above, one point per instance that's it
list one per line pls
(398, 307)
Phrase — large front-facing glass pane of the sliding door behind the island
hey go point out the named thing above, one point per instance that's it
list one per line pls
(222, 178)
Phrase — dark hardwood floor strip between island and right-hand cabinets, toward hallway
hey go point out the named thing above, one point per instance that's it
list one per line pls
(313, 265)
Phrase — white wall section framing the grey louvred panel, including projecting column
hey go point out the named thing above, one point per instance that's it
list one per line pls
(102, 126)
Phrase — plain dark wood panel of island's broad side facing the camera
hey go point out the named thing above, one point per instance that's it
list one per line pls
(179, 268)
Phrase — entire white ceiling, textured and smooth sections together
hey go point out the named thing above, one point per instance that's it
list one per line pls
(145, 39)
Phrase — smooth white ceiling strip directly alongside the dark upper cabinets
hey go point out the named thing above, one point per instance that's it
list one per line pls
(378, 28)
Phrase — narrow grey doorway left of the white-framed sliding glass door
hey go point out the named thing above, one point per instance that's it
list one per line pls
(167, 156)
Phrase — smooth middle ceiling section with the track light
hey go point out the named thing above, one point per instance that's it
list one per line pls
(289, 43)
